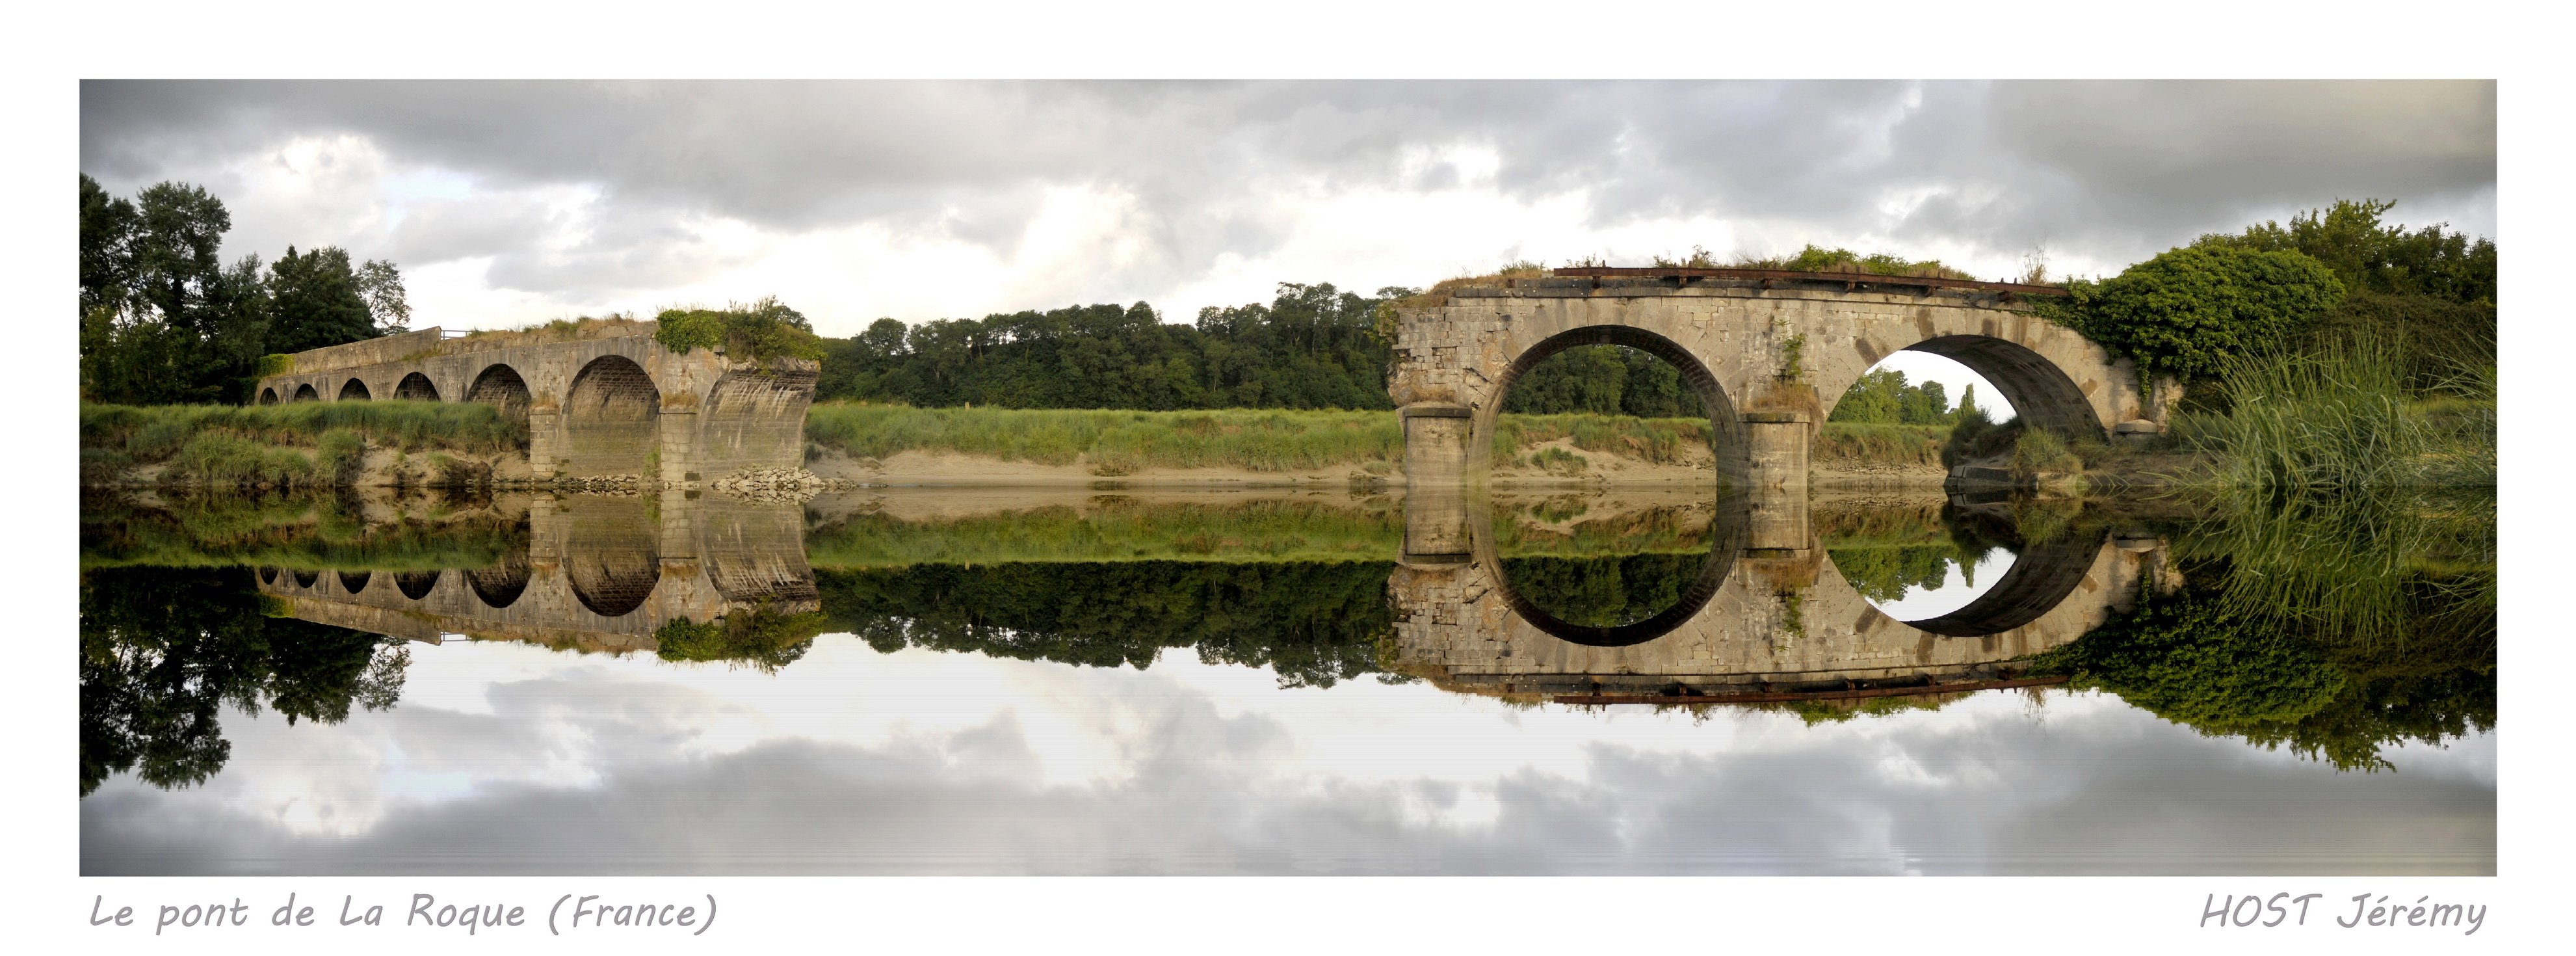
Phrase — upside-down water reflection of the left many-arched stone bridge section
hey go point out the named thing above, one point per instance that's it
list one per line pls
(601, 573)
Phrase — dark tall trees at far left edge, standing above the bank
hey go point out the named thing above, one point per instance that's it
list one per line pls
(166, 321)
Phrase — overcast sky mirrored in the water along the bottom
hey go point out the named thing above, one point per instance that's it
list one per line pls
(514, 759)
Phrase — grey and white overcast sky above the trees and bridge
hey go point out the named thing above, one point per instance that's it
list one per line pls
(522, 202)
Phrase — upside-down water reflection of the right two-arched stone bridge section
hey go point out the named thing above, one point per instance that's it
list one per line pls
(1766, 620)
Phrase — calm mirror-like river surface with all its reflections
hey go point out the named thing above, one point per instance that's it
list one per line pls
(1070, 682)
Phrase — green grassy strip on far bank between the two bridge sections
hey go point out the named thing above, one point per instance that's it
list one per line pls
(1117, 442)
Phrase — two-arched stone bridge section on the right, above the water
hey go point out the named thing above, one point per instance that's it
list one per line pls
(1768, 352)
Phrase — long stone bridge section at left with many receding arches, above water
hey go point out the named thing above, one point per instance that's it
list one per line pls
(599, 398)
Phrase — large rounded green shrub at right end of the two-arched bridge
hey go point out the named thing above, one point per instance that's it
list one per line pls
(2193, 311)
